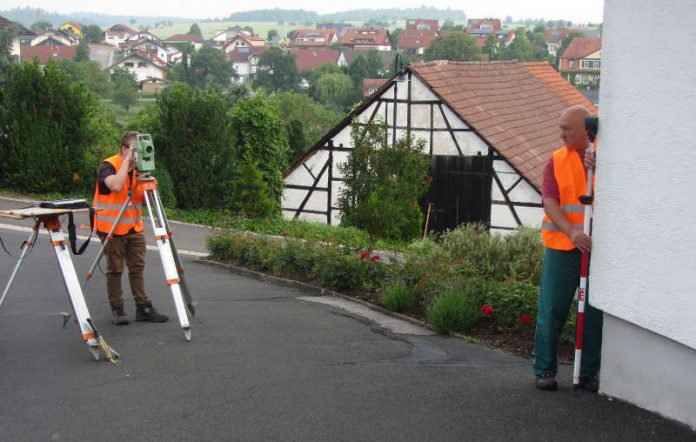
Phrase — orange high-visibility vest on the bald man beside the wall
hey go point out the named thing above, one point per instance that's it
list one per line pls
(572, 183)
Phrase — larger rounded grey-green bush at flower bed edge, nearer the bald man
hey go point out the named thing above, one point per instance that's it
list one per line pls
(453, 311)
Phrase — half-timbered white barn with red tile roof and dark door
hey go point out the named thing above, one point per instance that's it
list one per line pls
(490, 128)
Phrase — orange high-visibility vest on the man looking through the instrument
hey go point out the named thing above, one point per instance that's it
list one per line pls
(108, 206)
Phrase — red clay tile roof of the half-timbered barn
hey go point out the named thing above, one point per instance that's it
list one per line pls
(514, 106)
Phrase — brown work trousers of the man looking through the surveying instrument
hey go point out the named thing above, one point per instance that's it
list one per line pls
(126, 249)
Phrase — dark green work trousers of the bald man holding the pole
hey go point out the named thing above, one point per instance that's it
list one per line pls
(559, 280)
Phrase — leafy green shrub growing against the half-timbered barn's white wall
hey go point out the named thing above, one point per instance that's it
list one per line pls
(383, 183)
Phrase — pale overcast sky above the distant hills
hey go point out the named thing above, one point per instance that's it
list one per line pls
(582, 11)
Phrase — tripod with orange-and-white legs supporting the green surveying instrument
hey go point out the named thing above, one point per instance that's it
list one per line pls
(173, 270)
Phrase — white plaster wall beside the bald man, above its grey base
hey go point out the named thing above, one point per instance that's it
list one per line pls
(644, 259)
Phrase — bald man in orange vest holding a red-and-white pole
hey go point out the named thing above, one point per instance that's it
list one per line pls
(565, 180)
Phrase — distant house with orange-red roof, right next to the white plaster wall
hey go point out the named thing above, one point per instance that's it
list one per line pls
(581, 62)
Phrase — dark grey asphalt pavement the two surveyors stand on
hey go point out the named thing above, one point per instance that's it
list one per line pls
(268, 363)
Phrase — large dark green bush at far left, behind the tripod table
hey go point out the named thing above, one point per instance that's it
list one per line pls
(46, 122)
